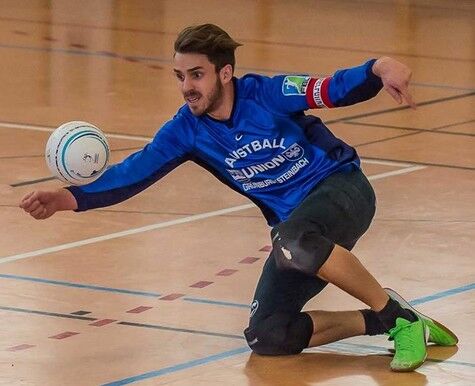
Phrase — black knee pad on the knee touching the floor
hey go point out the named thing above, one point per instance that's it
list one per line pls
(280, 334)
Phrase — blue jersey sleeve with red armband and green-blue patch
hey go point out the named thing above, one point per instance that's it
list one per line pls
(293, 93)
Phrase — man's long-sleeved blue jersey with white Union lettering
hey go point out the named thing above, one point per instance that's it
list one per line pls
(268, 150)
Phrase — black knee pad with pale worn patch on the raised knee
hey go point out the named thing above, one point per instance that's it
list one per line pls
(300, 246)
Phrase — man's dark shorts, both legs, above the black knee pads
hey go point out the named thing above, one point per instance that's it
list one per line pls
(342, 206)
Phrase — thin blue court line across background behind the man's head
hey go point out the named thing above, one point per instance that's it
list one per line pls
(106, 54)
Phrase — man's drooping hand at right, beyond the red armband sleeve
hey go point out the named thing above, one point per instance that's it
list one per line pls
(395, 77)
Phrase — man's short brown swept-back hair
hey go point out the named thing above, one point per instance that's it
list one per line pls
(209, 40)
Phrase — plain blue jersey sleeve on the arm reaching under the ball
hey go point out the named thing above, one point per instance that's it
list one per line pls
(170, 147)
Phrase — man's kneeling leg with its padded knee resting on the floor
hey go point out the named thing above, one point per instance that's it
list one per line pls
(278, 327)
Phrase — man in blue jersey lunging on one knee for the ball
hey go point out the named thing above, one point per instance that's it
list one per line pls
(252, 134)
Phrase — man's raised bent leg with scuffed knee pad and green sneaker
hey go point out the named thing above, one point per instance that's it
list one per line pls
(312, 241)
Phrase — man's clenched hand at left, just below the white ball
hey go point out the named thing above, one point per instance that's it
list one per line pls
(43, 204)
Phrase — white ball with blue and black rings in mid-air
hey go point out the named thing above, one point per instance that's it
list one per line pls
(77, 153)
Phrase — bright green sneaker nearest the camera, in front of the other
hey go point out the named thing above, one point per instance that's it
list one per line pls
(409, 344)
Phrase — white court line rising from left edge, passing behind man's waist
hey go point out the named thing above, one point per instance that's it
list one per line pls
(165, 224)
